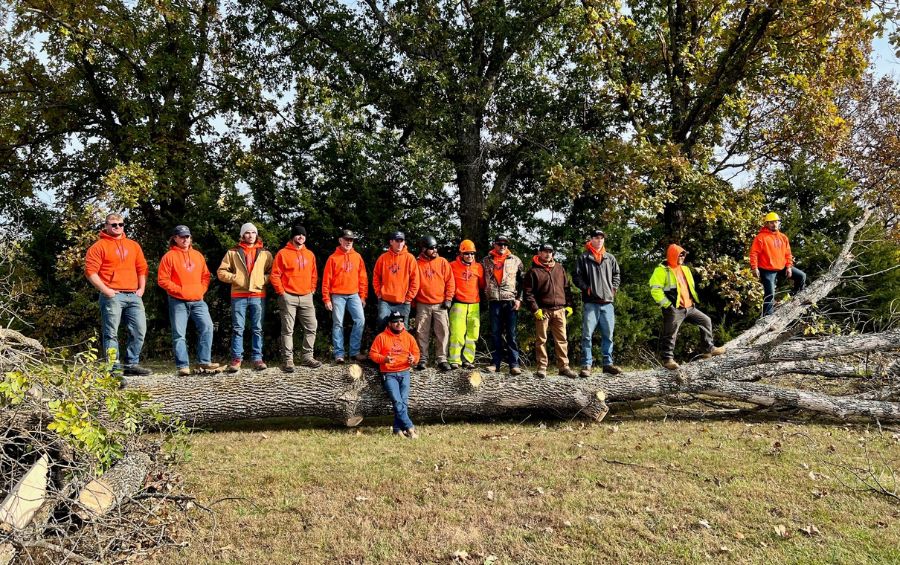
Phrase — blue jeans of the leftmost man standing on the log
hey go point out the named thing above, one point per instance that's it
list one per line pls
(130, 307)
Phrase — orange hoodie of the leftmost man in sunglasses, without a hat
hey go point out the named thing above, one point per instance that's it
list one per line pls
(118, 260)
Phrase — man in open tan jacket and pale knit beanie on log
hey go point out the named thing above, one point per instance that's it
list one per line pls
(246, 268)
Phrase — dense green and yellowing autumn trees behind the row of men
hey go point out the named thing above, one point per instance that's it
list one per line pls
(538, 119)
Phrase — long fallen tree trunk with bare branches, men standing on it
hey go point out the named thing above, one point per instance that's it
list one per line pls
(348, 394)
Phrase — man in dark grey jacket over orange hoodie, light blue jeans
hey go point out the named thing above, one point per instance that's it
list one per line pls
(597, 275)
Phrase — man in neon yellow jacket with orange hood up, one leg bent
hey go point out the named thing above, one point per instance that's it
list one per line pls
(672, 287)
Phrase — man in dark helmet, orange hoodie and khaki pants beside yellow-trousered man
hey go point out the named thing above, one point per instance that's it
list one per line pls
(433, 302)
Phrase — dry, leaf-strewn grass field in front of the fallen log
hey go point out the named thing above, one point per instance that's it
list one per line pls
(630, 490)
